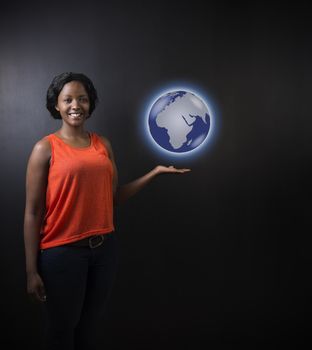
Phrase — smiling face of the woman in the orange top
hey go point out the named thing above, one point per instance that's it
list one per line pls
(73, 103)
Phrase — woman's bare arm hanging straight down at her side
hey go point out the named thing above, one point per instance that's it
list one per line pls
(36, 185)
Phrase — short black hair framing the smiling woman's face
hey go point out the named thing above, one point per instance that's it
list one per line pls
(57, 85)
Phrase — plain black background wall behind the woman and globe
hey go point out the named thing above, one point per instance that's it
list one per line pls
(218, 257)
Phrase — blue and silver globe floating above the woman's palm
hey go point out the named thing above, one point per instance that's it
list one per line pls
(179, 121)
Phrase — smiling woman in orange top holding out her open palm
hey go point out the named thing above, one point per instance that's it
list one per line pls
(70, 245)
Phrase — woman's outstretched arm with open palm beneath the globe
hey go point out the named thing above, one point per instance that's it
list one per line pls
(122, 193)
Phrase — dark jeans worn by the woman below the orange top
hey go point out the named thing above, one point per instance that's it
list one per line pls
(78, 283)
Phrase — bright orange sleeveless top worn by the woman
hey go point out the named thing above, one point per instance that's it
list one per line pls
(79, 196)
